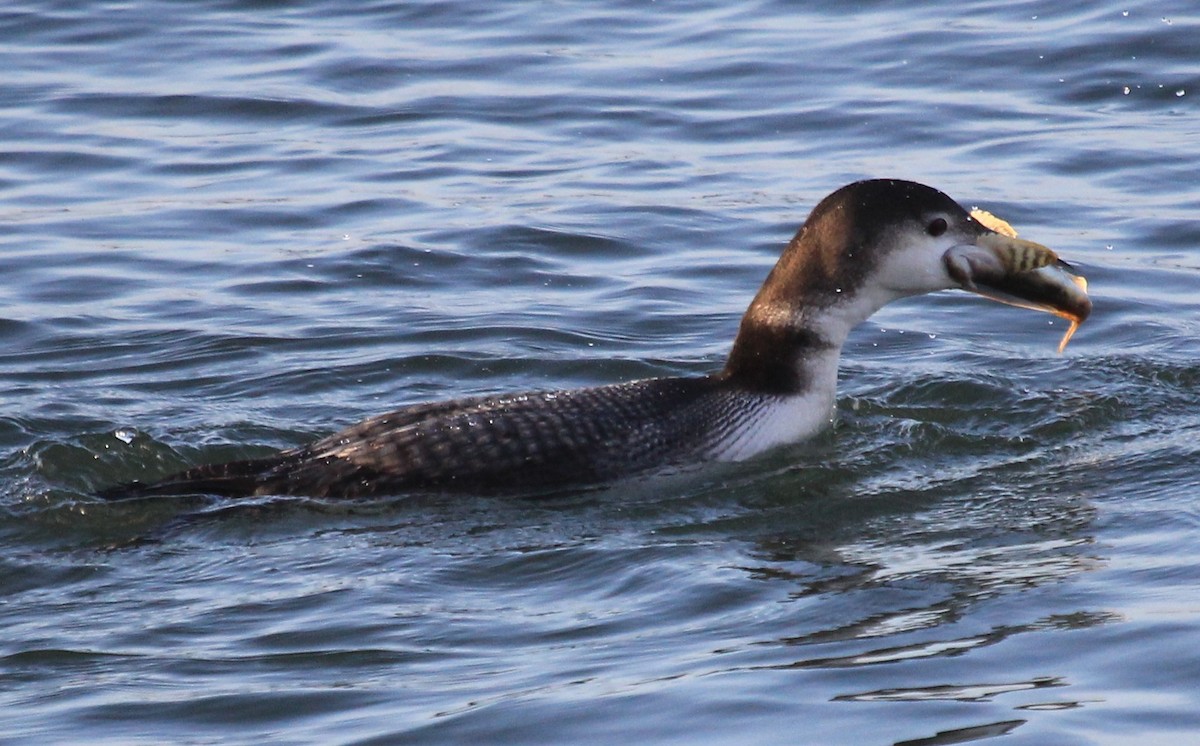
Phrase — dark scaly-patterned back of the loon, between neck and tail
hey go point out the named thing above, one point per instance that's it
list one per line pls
(523, 442)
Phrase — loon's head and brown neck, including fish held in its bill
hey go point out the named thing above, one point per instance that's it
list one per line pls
(877, 242)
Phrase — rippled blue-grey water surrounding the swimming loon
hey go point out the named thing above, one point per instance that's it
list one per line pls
(235, 226)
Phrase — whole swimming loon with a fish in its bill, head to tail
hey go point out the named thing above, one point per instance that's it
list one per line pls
(863, 246)
